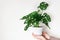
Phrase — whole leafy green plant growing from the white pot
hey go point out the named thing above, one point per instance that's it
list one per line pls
(36, 16)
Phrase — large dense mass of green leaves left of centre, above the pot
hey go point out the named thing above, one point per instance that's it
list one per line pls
(32, 19)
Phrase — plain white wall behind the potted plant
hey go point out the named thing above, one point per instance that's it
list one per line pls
(12, 28)
